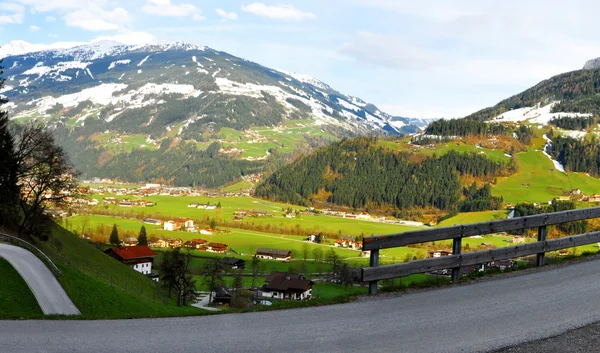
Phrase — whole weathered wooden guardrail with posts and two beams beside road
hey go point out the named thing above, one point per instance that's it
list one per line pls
(374, 272)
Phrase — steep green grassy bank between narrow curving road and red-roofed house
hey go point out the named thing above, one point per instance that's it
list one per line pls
(102, 287)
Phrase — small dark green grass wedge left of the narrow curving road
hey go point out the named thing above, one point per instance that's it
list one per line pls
(17, 299)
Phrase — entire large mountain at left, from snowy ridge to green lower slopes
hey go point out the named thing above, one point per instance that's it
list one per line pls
(114, 105)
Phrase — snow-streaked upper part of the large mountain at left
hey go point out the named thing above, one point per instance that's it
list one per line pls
(108, 74)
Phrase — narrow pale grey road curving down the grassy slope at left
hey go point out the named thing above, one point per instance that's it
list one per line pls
(50, 295)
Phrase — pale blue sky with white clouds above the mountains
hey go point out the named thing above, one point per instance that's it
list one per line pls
(426, 58)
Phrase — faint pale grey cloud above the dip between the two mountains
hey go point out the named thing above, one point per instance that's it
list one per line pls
(389, 51)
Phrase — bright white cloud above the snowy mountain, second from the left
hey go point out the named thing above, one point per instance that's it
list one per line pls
(96, 21)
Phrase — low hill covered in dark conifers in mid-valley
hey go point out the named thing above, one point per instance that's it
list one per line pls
(359, 173)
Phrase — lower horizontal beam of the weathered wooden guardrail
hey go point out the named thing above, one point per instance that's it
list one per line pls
(474, 258)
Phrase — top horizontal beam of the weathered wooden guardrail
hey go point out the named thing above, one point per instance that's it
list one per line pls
(505, 225)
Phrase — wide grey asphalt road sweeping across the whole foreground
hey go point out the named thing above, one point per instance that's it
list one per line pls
(477, 317)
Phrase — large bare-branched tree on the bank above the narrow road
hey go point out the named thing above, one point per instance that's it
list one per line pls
(45, 175)
